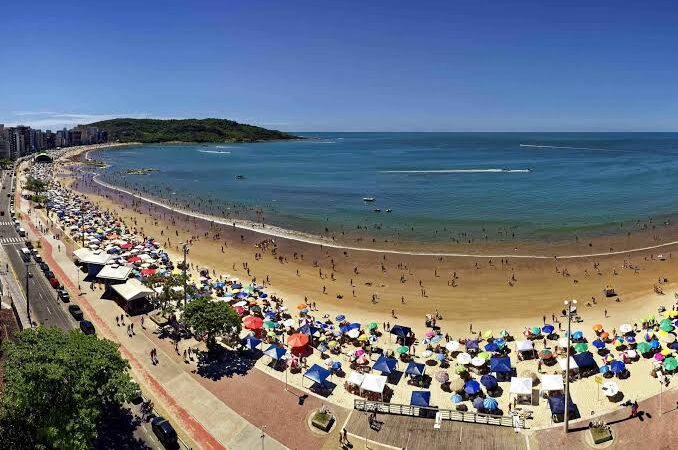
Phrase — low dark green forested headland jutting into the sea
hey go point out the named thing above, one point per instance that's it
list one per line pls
(186, 130)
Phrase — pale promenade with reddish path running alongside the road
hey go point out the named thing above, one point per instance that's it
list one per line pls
(204, 419)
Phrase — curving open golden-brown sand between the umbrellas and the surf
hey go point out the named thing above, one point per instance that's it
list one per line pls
(368, 286)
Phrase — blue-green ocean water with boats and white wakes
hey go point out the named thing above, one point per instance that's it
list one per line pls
(438, 186)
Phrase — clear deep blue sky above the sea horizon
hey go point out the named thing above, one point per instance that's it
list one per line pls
(345, 65)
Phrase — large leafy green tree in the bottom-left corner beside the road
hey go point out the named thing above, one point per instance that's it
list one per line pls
(57, 385)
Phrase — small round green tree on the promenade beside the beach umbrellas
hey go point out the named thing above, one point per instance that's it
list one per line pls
(211, 319)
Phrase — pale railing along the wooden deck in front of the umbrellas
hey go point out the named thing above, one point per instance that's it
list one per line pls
(445, 414)
